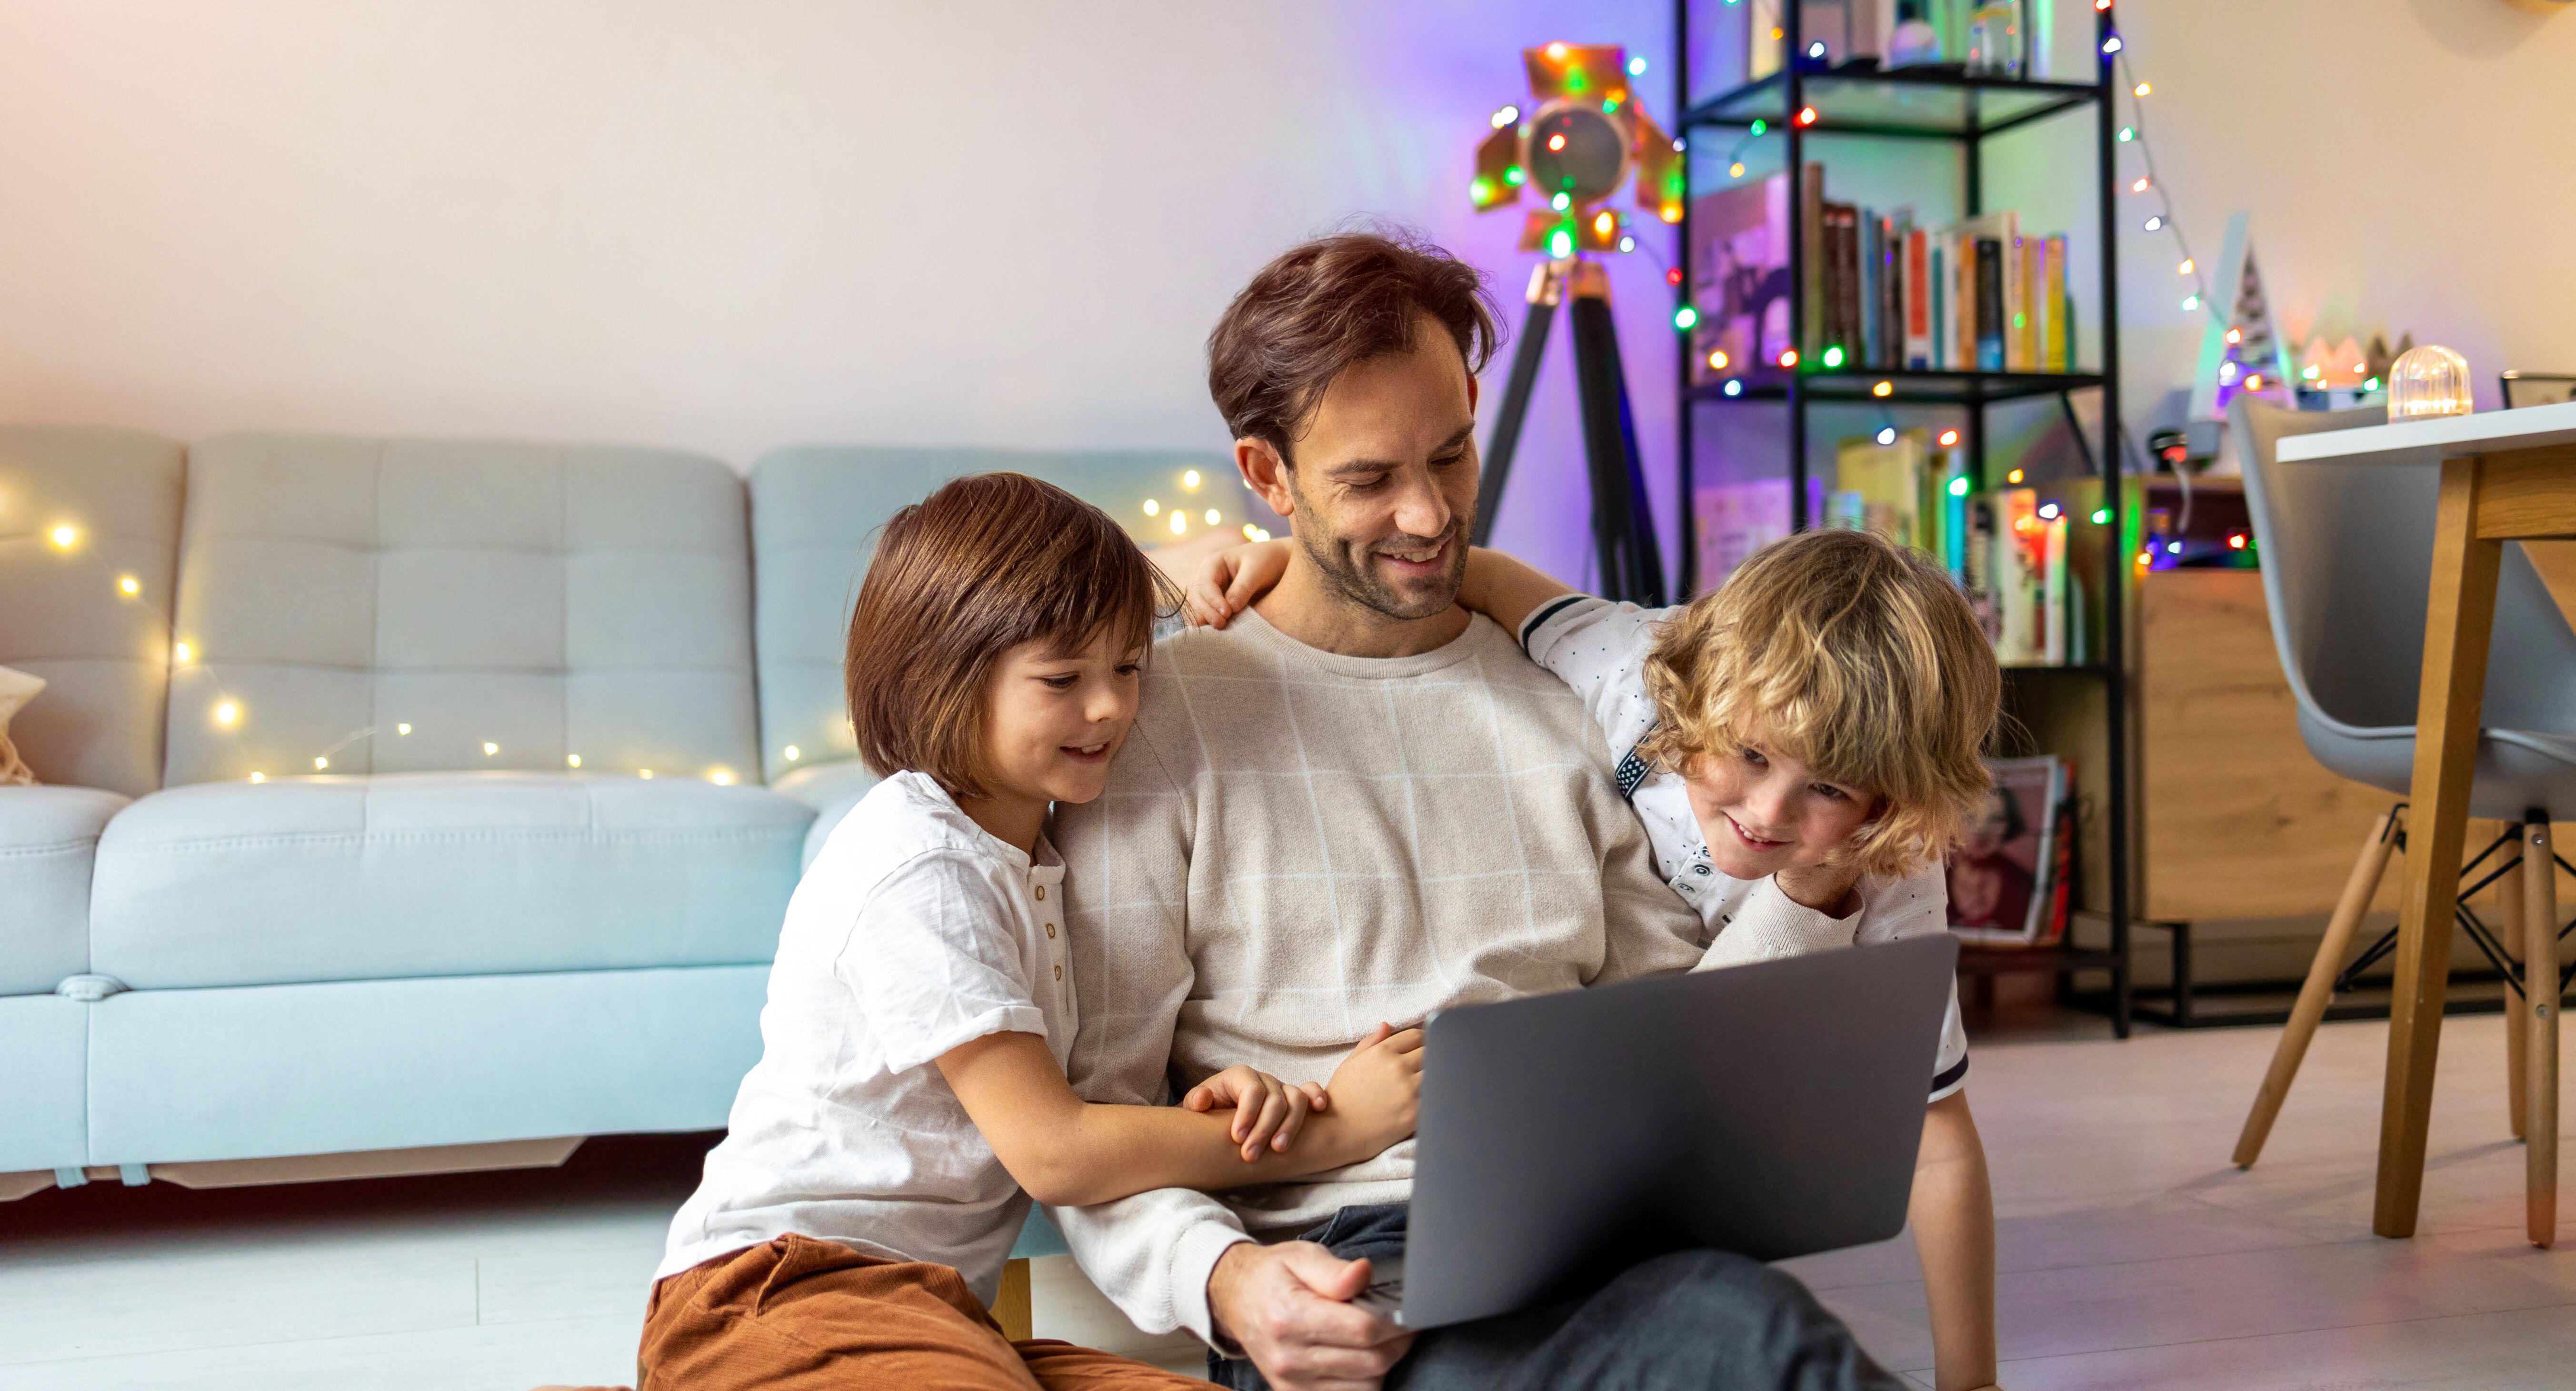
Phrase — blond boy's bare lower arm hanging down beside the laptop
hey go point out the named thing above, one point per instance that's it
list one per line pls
(1954, 1235)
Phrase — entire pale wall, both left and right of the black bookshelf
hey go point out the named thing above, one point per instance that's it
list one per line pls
(733, 225)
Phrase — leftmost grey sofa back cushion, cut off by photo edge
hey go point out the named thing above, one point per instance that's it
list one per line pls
(68, 617)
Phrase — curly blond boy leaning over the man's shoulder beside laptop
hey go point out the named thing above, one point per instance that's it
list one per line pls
(1802, 746)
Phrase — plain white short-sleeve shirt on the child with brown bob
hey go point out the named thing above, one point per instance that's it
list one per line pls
(911, 934)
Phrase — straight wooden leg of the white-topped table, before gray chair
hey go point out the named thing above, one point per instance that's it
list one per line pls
(2459, 620)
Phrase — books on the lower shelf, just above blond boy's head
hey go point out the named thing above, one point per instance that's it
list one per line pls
(2008, 547)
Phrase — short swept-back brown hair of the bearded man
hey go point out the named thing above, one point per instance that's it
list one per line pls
(1328, 305)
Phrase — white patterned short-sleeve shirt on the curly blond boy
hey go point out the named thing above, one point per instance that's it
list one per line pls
(1601, 650)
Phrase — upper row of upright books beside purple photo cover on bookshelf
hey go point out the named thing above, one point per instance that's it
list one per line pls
(1882, 292)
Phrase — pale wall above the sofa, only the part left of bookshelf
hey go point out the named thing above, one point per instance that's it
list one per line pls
(728, 225)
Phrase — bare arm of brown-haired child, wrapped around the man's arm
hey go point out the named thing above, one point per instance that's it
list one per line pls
(1073, 1155)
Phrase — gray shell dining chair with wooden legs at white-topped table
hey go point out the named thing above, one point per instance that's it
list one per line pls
(2345, 568)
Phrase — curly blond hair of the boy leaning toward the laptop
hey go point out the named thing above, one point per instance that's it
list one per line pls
(1853, 656)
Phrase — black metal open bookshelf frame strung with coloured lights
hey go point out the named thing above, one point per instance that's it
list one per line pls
(1946, 115)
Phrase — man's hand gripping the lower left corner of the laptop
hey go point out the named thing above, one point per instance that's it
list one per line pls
(1289, 1310)
